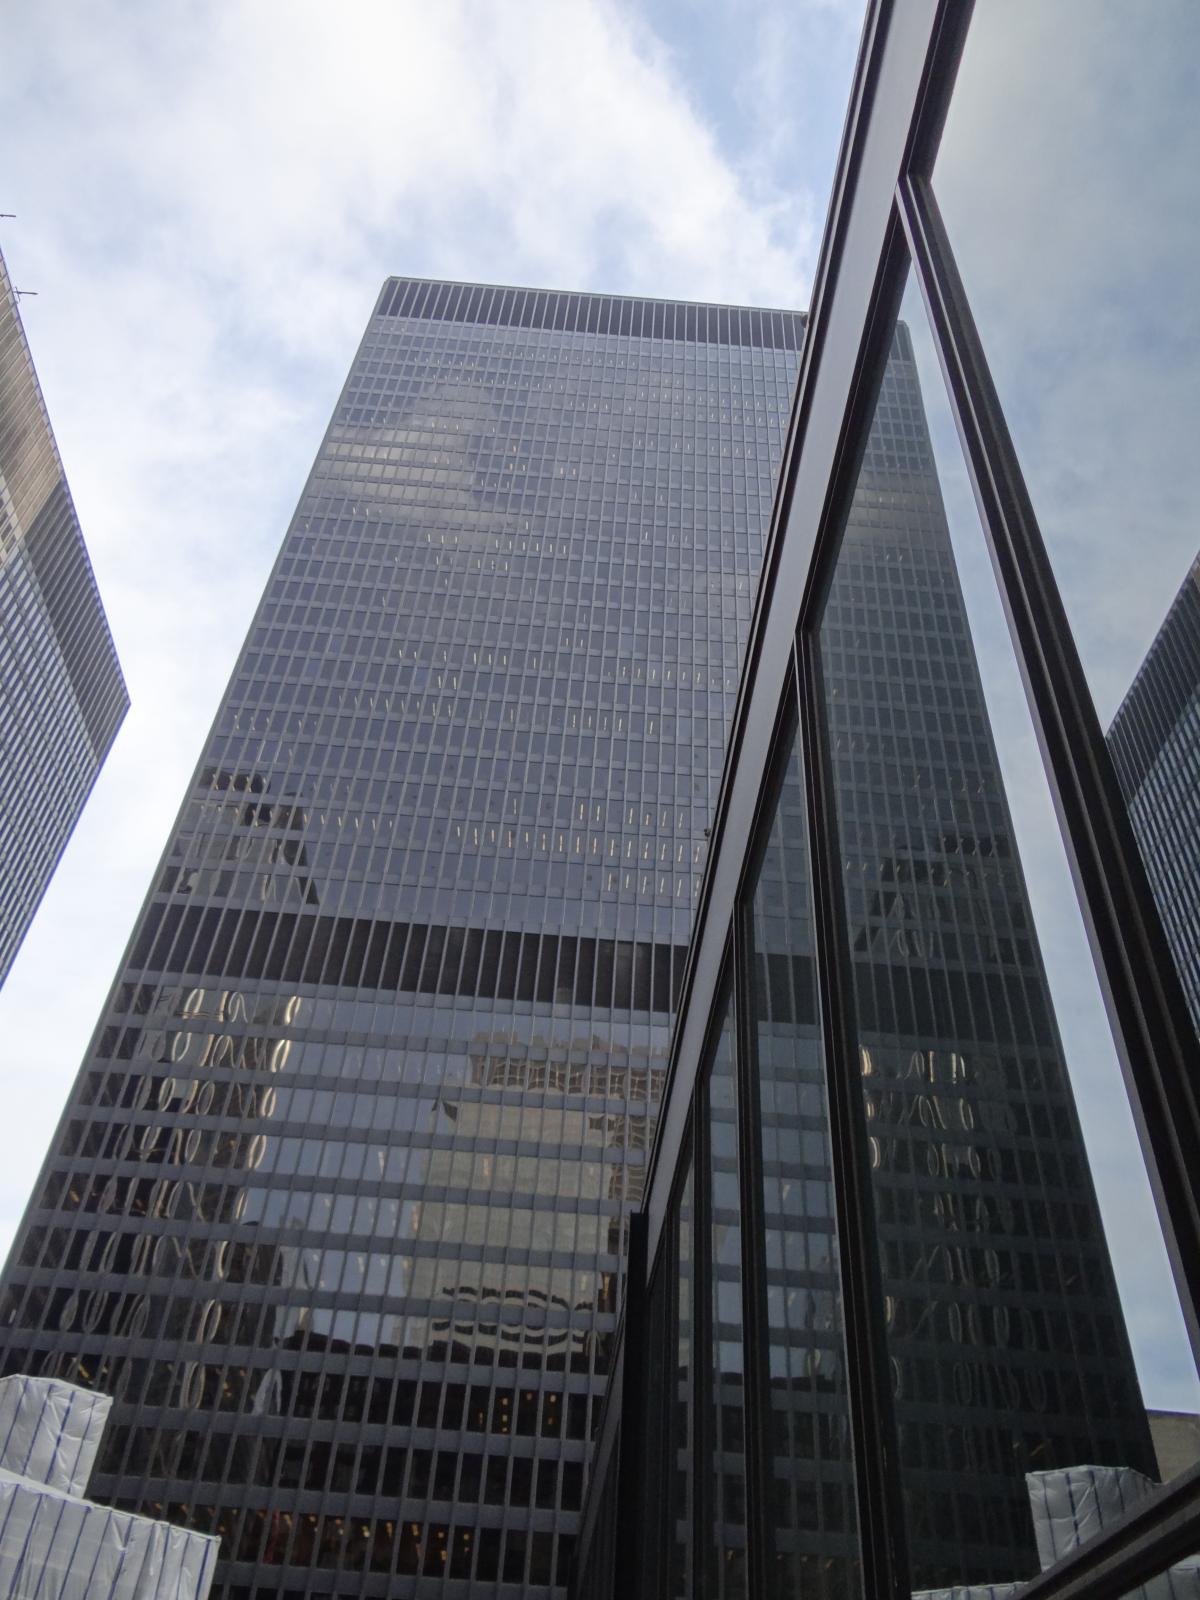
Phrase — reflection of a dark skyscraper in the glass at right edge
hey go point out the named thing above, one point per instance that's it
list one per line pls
(1156, 748)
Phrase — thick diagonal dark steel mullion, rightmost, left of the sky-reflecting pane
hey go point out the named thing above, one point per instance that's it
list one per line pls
(1143, 993)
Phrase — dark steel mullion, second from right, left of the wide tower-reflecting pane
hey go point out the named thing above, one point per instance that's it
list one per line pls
(873, 1422)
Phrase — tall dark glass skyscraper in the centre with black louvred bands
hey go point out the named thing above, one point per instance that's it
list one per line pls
(337, 1209)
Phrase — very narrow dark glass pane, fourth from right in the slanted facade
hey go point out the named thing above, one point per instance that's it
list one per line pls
(727, 1578)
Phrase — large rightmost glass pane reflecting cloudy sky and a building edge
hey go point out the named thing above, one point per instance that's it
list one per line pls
(1070, 180)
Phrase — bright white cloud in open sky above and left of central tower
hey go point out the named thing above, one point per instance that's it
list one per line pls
(209, 202)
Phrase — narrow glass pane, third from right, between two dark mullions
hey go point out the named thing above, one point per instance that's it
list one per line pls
(810, 1454)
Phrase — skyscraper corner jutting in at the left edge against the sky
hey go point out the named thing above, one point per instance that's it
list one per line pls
(62, 689)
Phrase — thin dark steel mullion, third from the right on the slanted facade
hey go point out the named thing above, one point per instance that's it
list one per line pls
(758, 1423)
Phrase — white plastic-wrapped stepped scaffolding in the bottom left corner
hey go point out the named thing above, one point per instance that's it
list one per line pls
(58, 1546)
